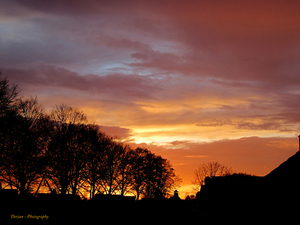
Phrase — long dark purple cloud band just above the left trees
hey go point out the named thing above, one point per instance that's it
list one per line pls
(51, 76)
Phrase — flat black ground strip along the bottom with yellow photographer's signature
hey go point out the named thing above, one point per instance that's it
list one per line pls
(164, 211)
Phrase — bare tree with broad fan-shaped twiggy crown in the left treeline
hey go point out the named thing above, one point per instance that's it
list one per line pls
(65, 151)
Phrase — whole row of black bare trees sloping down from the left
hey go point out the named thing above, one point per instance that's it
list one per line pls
(61, 153)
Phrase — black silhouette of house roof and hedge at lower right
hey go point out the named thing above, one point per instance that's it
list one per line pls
(278, 192)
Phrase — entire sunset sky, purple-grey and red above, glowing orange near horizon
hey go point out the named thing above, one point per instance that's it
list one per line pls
(193, 81)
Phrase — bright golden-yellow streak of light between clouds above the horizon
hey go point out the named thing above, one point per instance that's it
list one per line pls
(195, 133)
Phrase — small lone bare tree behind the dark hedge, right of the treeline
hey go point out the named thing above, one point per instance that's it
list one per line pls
(209, 169)
